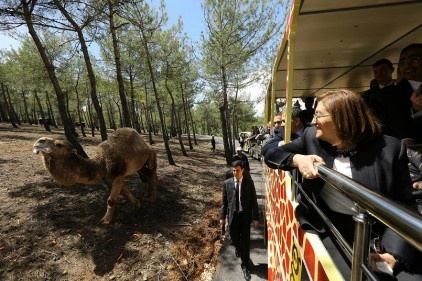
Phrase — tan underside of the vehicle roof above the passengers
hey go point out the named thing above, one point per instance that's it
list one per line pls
(336, 43)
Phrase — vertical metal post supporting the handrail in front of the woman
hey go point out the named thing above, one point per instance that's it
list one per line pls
(360, 246)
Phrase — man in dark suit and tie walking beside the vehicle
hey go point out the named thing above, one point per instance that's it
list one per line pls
(240, 206)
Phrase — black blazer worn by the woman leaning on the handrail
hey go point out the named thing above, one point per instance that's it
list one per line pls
(380, 164)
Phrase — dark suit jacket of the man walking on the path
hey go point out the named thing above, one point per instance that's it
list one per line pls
(247, 197)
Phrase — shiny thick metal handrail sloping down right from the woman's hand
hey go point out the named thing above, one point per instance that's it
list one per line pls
(397, 217)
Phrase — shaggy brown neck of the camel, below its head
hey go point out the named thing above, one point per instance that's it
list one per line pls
(74, 169)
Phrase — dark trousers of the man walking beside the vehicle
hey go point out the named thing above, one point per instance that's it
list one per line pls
(240, 232)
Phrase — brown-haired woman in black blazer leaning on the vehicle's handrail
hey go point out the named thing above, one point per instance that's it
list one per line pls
(356, 148)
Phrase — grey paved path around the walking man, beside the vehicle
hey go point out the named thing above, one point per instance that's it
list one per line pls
(229, 267)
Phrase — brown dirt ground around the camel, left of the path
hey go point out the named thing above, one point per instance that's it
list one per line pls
(51, 232)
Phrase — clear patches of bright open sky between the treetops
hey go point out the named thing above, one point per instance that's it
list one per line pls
(193, 23)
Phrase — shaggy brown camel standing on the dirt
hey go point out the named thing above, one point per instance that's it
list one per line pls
(123, 154)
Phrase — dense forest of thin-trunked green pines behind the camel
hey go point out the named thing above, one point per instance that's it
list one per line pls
(104, 64)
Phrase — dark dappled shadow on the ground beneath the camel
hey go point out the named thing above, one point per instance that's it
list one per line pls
(72, 214)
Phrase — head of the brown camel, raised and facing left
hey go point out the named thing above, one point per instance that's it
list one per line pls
(52, 147)
